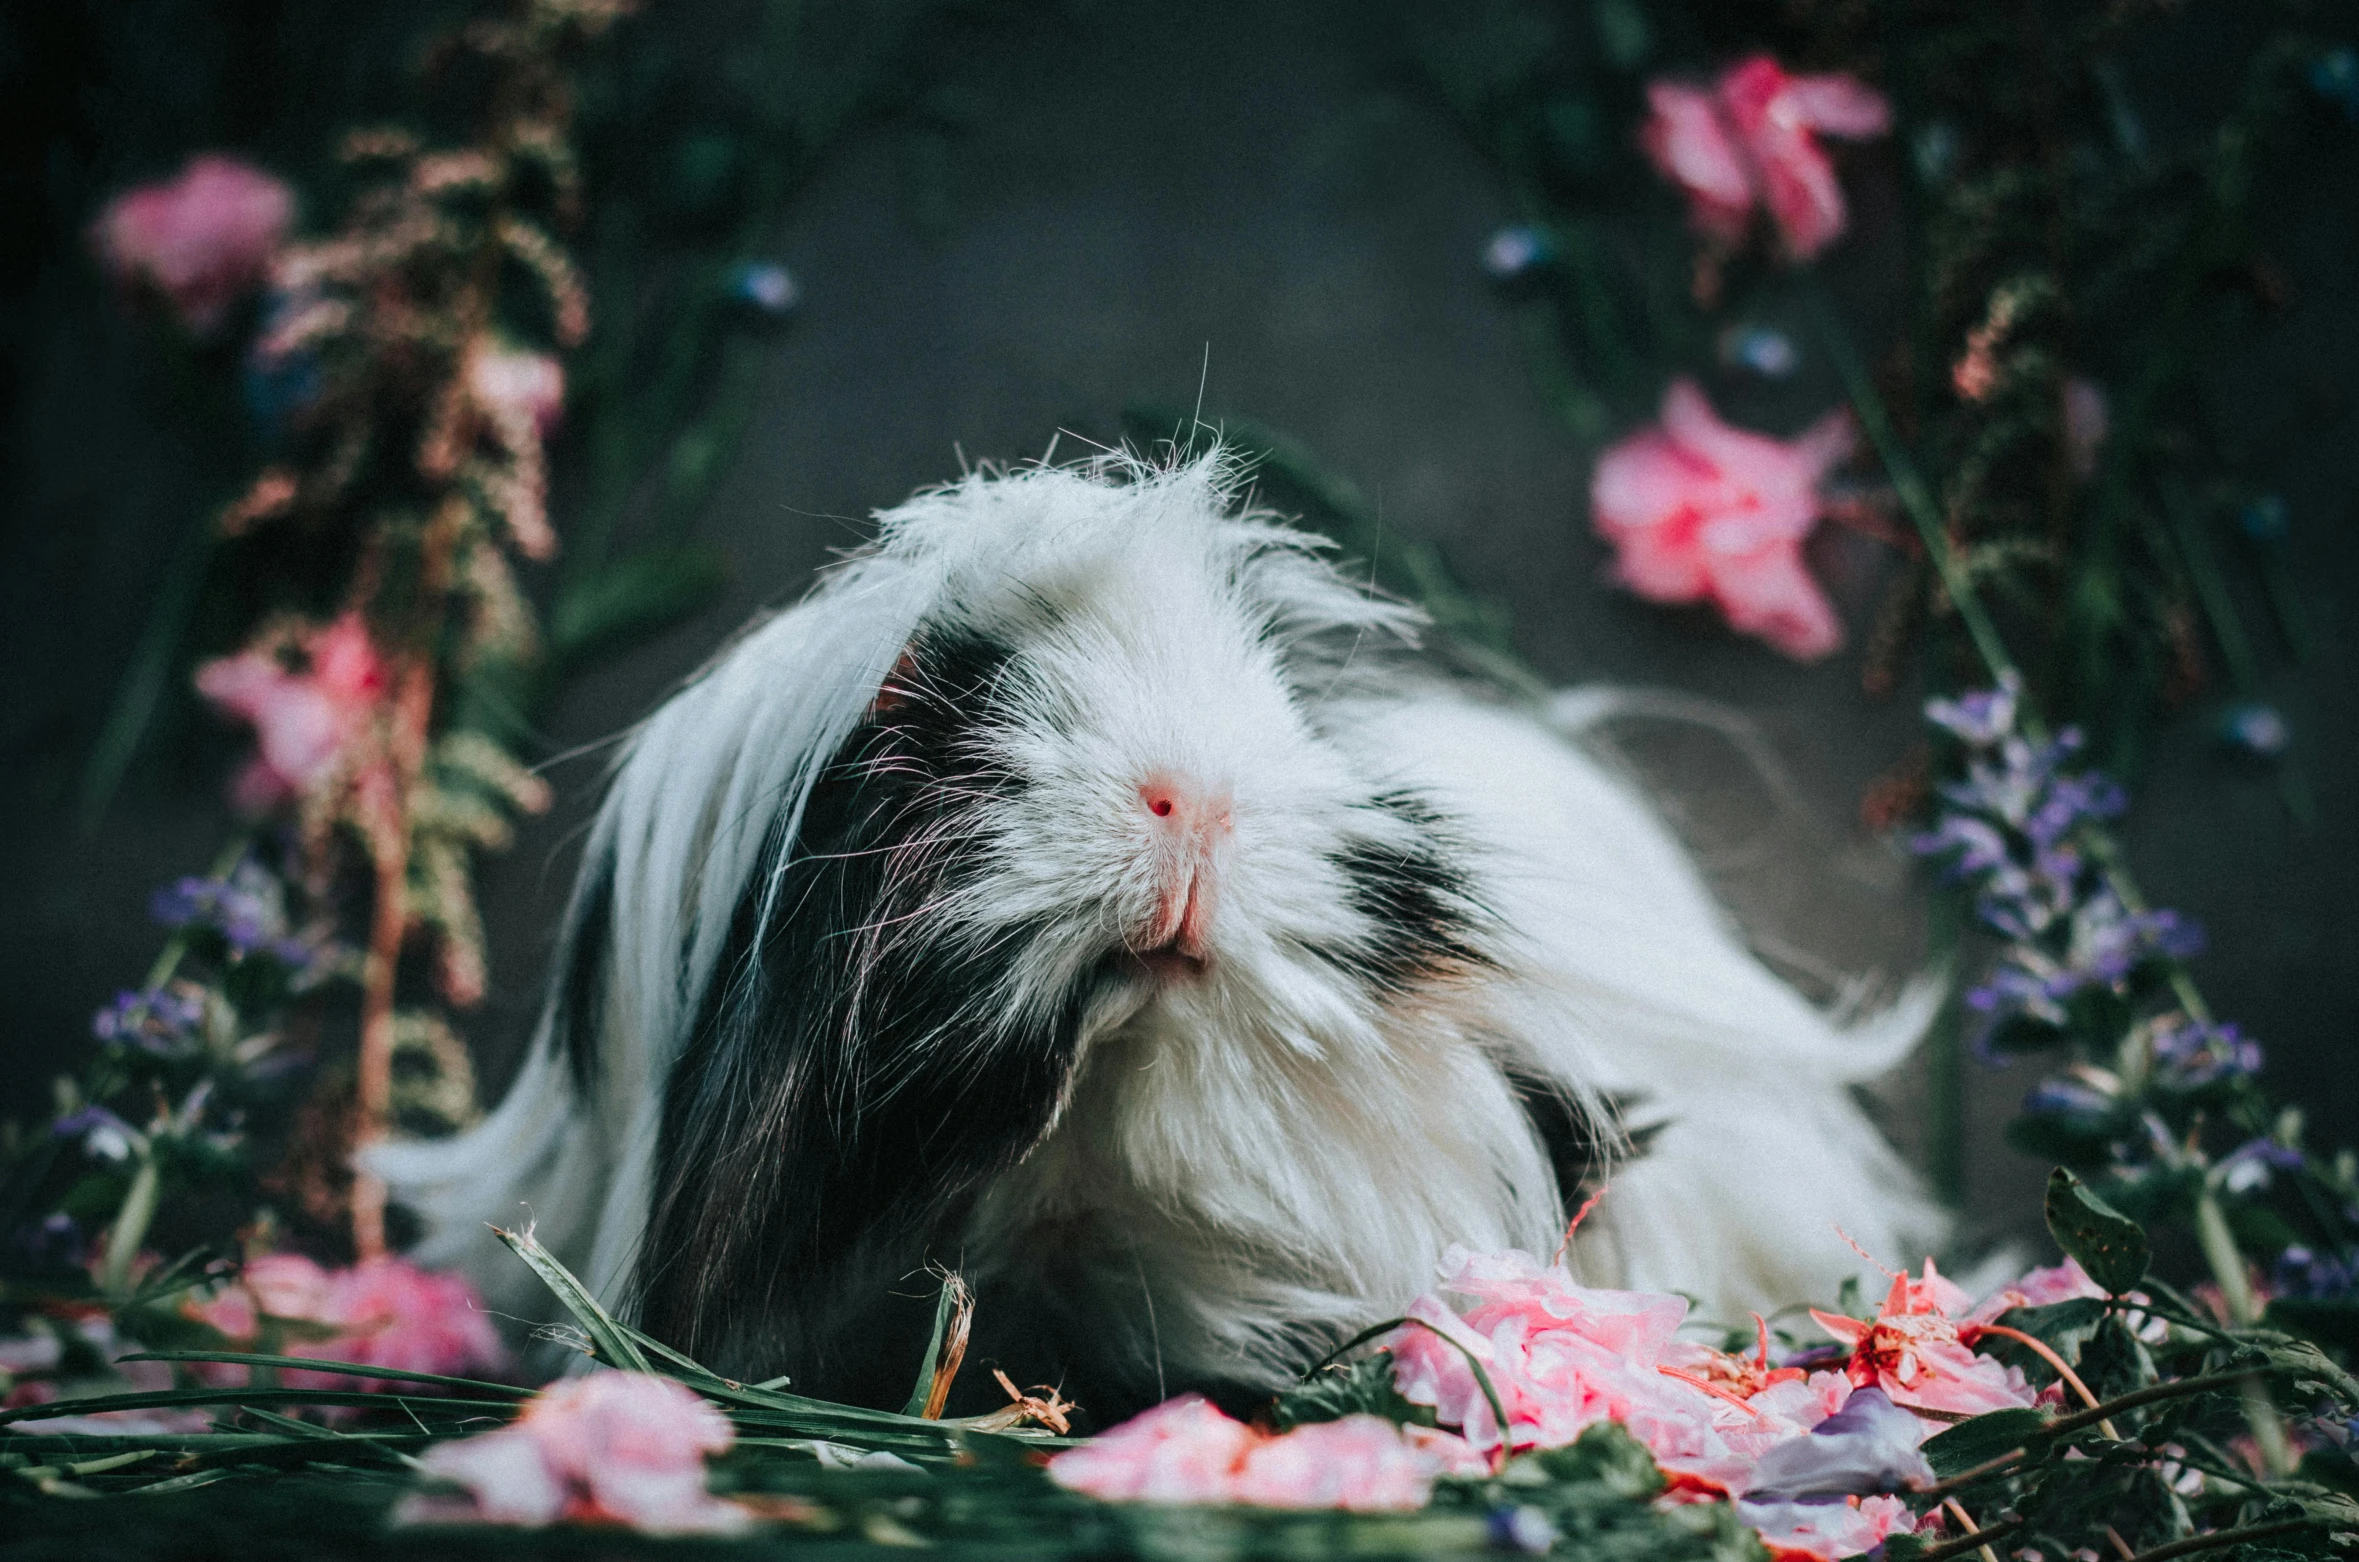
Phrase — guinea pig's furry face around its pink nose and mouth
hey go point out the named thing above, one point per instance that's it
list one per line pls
(1141, 806)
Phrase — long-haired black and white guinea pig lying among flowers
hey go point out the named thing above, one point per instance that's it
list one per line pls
(1089, 891)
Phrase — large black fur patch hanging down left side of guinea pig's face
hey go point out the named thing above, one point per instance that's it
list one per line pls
(850, 1079)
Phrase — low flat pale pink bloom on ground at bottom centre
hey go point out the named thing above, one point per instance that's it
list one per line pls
(1190, 1452)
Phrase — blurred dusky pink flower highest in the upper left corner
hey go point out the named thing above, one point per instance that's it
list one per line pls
(202, 239)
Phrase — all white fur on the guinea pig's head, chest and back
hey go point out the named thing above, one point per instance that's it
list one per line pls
(1273, 1143)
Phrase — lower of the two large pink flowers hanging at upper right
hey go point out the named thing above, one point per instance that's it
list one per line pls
(1700, 511)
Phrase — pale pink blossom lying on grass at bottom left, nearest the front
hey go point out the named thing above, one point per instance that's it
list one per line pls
(610, 1448)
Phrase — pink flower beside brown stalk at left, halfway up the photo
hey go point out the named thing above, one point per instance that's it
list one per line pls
(305, 723)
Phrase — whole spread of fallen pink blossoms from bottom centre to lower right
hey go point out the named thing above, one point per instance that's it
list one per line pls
(1808, 1457)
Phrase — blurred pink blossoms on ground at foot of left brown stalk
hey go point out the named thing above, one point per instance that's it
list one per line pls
(379, 1313)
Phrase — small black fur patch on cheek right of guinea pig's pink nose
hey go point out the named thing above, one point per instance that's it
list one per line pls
(1417, 898)
